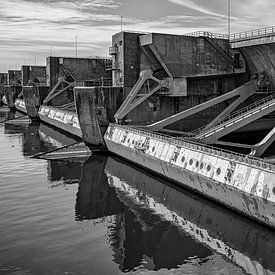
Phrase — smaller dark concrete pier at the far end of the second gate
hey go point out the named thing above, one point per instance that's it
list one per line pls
(33, 97)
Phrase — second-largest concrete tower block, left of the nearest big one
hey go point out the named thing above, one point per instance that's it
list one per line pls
(80, 68)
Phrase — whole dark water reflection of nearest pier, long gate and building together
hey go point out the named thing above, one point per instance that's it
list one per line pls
(159, 226)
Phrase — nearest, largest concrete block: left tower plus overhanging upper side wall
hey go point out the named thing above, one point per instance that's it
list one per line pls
(183, 55)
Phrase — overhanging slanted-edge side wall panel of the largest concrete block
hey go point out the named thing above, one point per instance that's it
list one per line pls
(189, 56)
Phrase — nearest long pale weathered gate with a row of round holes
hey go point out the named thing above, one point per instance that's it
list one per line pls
(244, 184)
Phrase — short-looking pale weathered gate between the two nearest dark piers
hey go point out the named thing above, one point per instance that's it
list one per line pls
(64, 120)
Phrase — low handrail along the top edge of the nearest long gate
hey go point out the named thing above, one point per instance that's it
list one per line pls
(202, 147)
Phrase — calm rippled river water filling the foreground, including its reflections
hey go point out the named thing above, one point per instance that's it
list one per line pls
(104, 216)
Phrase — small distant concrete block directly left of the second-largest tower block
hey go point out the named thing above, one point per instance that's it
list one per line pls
(35, 74)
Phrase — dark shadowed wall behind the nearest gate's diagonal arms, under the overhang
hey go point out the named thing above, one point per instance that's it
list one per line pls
(200, 89)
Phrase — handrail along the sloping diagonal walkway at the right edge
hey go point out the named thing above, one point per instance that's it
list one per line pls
(235, 114)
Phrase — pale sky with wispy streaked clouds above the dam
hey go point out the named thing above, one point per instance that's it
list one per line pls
(31, 30)
